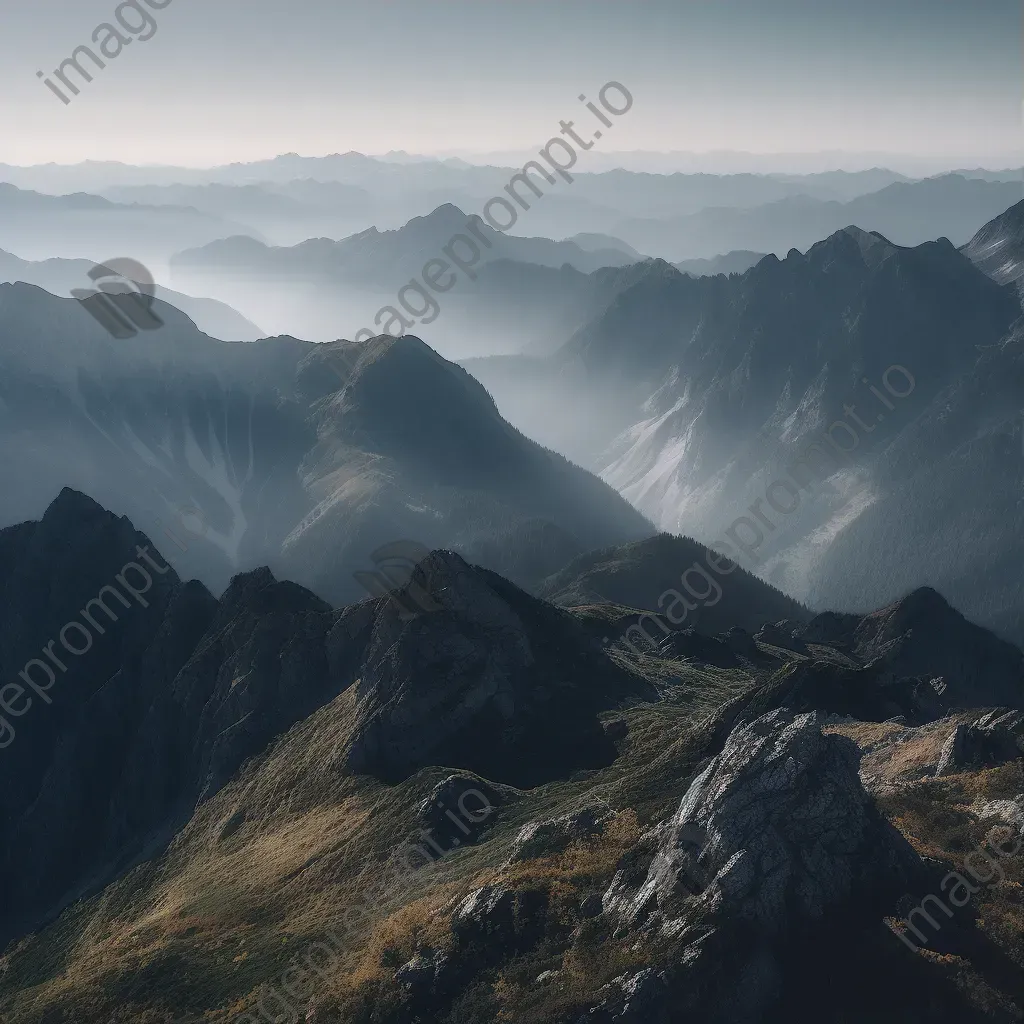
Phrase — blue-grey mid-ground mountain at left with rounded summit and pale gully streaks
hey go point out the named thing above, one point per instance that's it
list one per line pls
(308, 458)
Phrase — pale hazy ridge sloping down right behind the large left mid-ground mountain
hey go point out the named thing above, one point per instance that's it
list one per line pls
(61, 276)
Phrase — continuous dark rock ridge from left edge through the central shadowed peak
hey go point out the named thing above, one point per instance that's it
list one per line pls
(162, 703)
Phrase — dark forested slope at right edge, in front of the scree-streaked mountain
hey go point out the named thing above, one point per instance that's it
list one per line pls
(949, 510)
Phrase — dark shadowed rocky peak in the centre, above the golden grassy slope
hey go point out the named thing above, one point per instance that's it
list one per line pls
(494, 681)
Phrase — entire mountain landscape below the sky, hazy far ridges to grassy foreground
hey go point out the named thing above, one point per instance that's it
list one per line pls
(376, 583)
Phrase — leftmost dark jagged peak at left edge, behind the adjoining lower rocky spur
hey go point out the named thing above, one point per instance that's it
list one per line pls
(68, 730)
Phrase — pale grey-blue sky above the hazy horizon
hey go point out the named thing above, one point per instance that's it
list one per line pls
(227, 80)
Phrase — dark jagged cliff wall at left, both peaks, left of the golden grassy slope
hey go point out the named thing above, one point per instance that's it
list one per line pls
(176, 691)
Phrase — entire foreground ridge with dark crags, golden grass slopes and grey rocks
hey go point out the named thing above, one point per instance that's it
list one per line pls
(239, 810)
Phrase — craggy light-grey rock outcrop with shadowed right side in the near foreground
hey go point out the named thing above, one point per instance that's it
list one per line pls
(777, 840)
